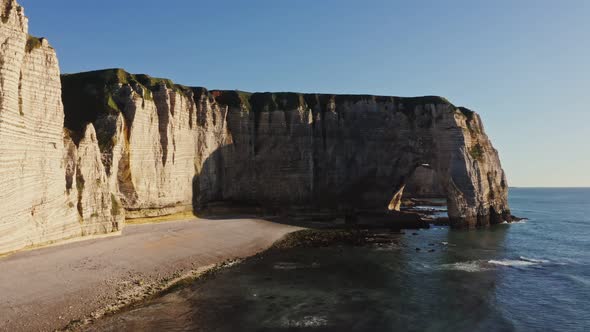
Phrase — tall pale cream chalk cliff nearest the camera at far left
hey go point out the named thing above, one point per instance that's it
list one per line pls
(35, 205)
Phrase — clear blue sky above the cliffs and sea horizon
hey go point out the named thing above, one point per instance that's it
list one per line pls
(523, 65)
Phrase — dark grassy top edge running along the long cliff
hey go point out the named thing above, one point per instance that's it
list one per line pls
(88, 94)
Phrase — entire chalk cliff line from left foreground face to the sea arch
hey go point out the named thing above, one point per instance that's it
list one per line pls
(133, 145)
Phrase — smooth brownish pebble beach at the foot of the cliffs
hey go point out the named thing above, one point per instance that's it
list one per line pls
(48, 288)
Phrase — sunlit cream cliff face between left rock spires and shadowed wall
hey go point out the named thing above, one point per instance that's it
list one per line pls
(163, 149)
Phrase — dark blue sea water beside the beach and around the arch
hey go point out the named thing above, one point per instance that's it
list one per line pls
(530, 276)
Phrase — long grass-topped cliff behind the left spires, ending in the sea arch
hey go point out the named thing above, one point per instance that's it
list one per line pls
(285, 151)
